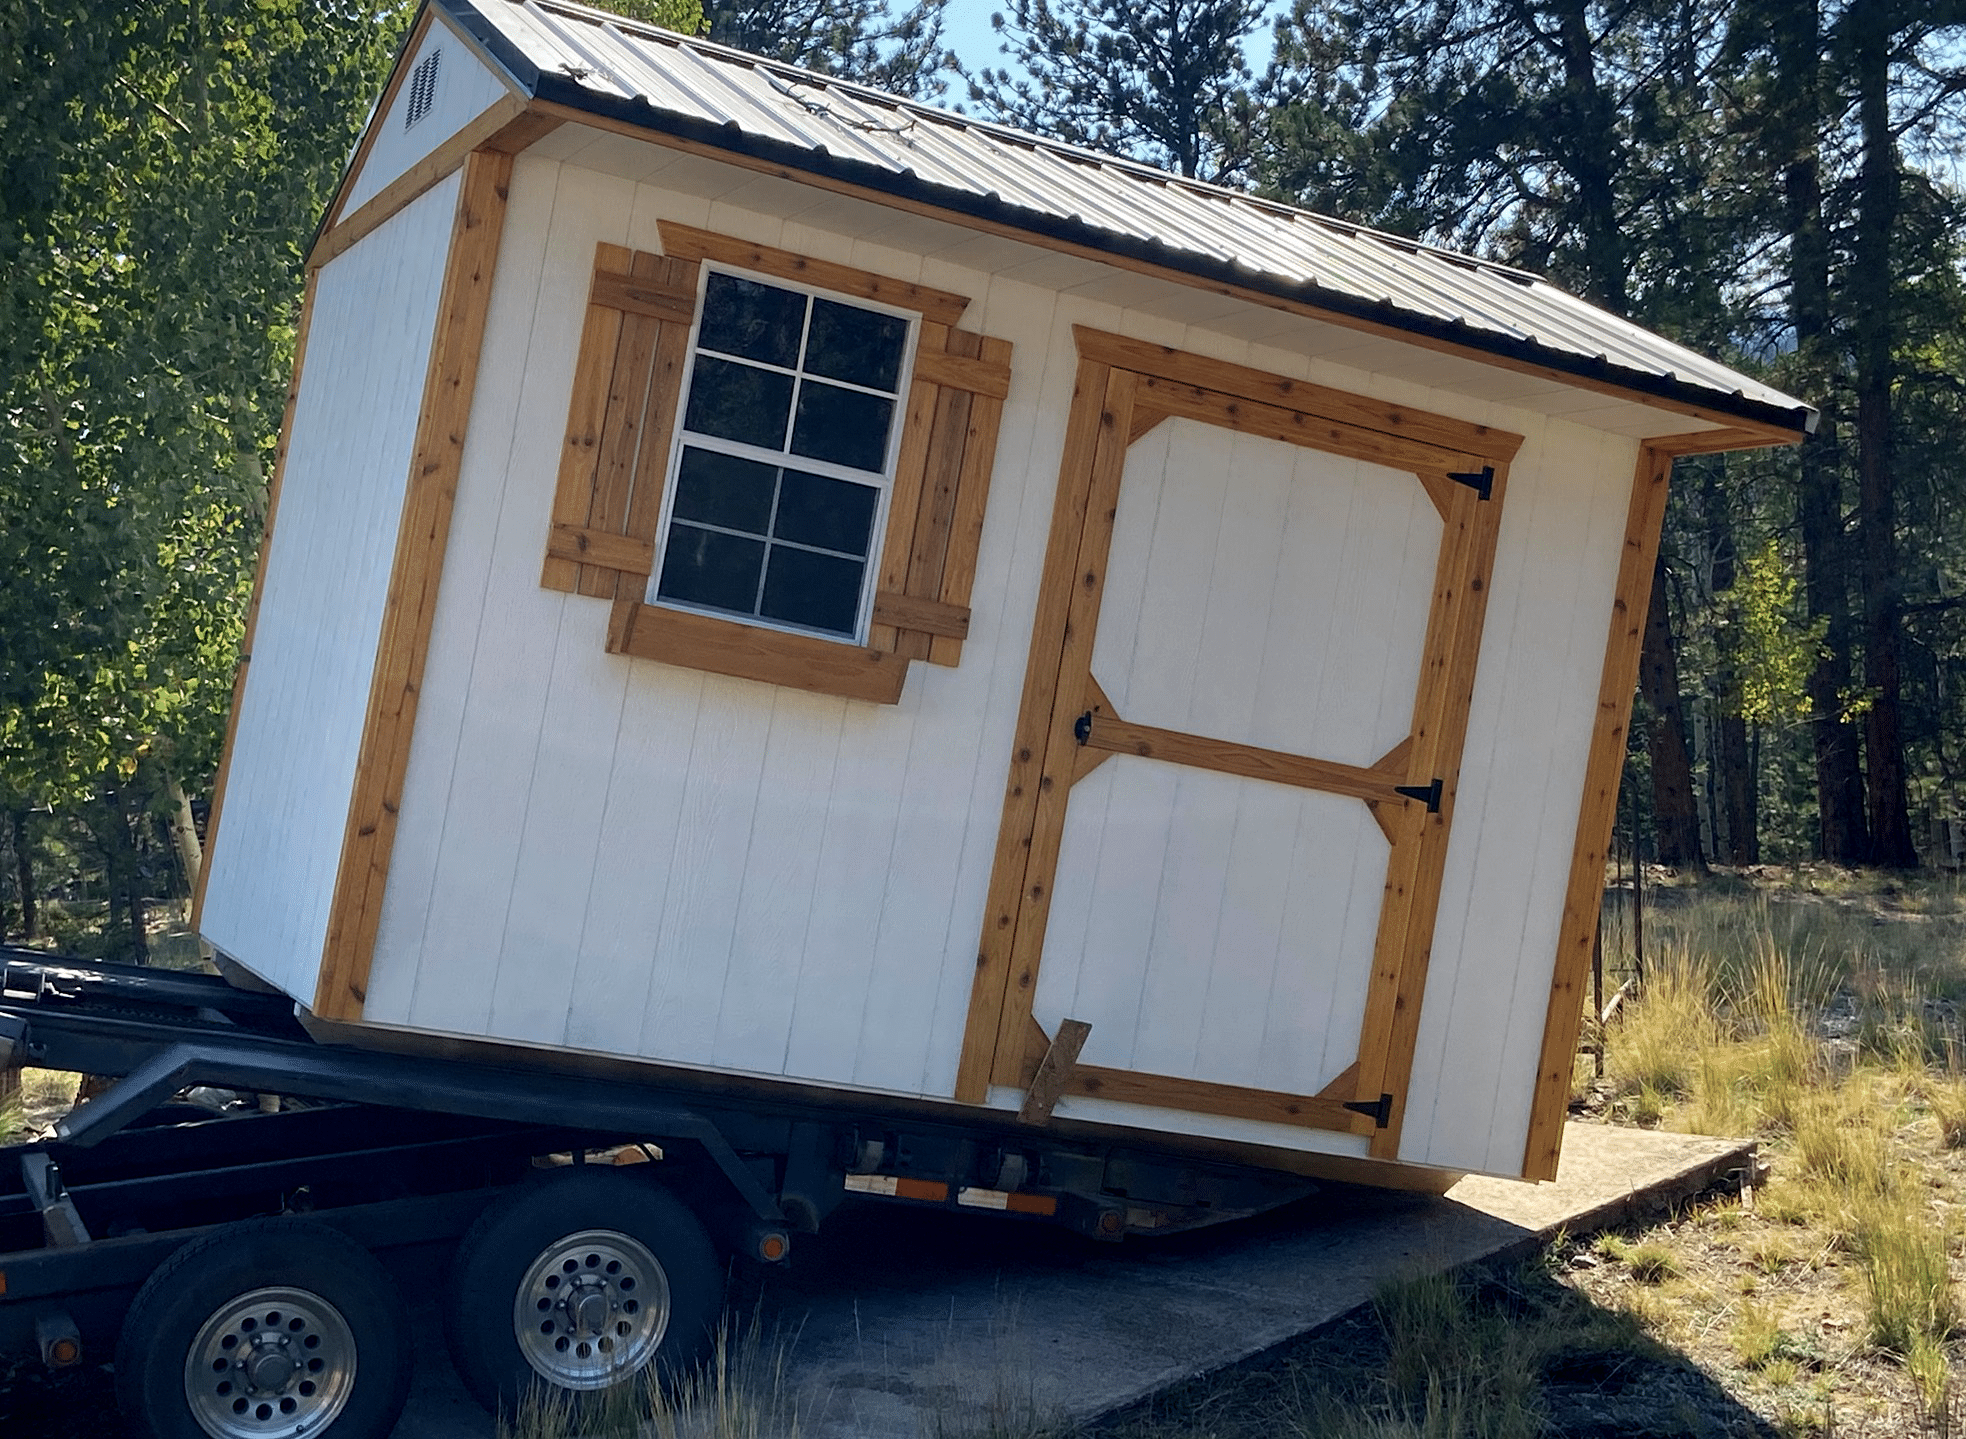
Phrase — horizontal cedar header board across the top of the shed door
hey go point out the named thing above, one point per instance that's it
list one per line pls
(1177, 369)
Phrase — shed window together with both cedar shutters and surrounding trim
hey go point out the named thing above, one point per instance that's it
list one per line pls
(776, 467)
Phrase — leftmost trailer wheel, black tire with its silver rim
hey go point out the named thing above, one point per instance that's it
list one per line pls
(327, 1291)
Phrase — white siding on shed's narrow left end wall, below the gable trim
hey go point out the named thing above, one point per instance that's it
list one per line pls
(341, 500)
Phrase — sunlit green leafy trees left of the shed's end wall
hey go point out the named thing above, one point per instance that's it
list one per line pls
(164, 168)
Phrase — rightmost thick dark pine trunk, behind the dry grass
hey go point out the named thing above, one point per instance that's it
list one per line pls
(1871, 284)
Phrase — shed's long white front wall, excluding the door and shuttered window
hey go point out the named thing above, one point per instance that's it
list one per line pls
(652, 862)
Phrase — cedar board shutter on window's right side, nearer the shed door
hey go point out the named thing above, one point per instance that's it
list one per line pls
(949, 447)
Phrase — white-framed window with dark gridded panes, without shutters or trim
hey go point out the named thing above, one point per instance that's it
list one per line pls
(783, 457)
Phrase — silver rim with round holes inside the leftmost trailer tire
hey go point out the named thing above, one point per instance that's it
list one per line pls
(274, 1361)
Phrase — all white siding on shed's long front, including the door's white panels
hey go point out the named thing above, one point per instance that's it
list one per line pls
(644, 860)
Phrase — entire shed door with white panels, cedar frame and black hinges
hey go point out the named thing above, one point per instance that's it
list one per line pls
(1251, 677)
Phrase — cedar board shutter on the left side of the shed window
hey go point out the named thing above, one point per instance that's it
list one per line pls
(628, 382)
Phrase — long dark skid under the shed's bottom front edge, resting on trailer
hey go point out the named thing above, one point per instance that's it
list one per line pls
(813, 1102)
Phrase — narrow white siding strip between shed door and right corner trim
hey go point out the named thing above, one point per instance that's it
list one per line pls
(1509, 858)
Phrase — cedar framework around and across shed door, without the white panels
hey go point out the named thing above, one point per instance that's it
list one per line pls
(1124, 390)
